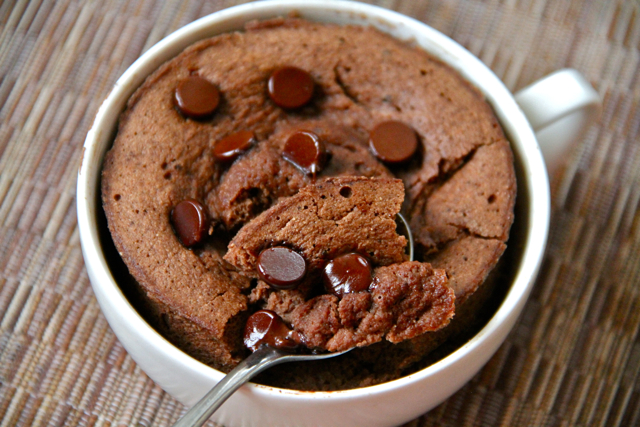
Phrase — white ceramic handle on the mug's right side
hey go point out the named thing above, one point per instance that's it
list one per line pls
(559, 107)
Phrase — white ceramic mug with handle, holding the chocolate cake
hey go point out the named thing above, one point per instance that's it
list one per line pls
(549, 106)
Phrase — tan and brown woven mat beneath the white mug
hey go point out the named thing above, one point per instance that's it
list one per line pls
(574, 356)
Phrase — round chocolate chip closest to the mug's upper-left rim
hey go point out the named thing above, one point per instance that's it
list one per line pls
(196, 97)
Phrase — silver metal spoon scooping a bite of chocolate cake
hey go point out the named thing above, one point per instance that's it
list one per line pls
(263, 358)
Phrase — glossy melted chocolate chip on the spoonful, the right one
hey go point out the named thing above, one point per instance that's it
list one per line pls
(347, 273)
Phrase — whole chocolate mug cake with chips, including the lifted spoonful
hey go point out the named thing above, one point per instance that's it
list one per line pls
(216, 154)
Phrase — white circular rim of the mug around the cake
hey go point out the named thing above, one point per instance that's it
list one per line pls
(513, 121)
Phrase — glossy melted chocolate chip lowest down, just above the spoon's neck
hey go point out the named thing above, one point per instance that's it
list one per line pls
(266, 327)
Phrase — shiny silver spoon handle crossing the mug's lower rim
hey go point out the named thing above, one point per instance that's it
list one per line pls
(249, 367)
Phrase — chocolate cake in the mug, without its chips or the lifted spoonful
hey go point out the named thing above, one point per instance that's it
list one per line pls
(460, 183)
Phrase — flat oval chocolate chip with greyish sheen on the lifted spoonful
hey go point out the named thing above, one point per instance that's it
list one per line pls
(281, 267)
